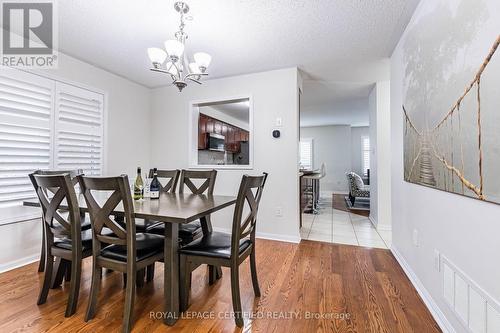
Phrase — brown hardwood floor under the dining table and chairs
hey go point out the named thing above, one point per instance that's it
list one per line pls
(353, 289)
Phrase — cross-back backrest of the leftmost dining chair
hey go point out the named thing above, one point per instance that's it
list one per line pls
(62, 188)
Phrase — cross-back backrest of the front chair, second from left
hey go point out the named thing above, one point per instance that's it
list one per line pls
(101, 205)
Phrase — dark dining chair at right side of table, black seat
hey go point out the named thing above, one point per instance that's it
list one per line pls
(228, 250)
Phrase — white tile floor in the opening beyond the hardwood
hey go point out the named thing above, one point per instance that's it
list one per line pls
(336, 226)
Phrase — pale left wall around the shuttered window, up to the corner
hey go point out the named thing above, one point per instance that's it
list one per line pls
(127, 145)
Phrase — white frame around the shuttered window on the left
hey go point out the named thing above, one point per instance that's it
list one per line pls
(17, 214)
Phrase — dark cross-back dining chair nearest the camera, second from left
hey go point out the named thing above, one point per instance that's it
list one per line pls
(125, 250)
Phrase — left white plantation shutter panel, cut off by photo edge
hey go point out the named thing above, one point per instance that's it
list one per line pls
(26, 104)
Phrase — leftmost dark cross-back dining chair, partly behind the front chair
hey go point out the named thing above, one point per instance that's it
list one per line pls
(63, 236)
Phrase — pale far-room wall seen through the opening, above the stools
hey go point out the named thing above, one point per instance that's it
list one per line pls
(332, 145)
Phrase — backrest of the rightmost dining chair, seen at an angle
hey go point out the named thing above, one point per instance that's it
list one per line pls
(250, 191)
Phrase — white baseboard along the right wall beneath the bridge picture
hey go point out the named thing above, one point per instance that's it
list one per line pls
(434, 309)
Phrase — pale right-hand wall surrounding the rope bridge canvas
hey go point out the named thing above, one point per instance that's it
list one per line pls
(464, 230)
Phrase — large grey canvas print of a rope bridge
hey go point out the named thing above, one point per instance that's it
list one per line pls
(451, 98)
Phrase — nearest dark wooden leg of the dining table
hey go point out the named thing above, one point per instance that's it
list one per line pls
(171, 274)
